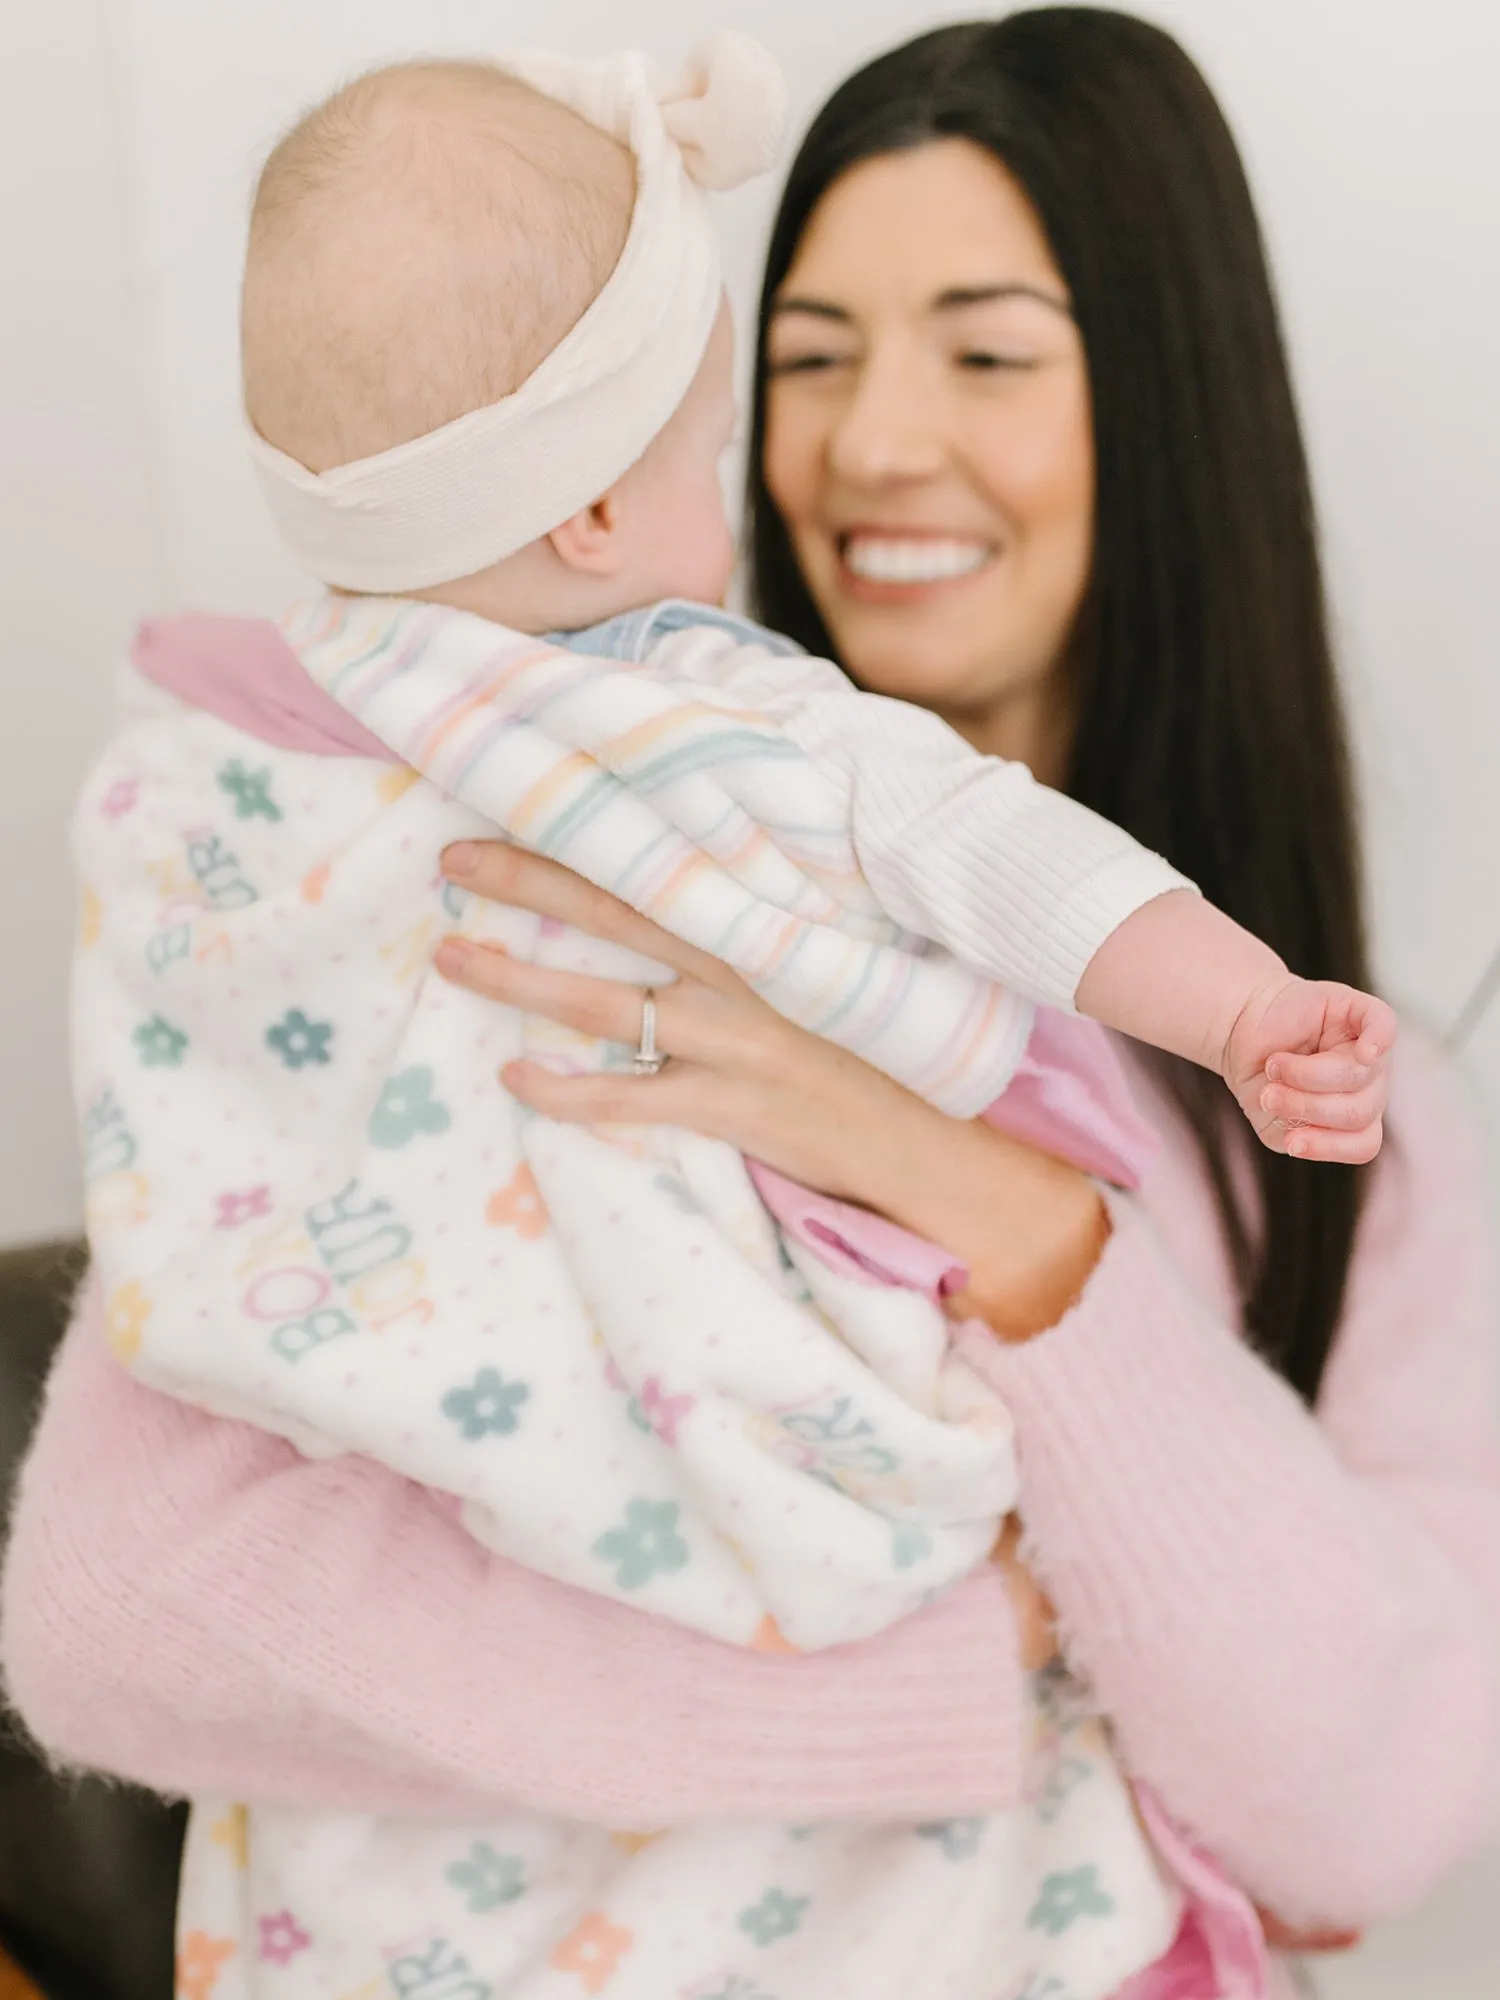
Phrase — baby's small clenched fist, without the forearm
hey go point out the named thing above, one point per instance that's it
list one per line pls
(1311, 1067)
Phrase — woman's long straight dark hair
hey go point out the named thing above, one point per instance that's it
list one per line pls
(1209, 717)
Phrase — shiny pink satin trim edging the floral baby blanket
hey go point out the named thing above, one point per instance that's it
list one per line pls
(1069, 1097)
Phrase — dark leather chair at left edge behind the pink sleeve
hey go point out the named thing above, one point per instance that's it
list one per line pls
(87, 1869)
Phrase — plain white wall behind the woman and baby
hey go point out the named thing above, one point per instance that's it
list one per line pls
(129, 139)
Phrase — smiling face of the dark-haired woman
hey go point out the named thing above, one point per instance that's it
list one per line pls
(929, 443)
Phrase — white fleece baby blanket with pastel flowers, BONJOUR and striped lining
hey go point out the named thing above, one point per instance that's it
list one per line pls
(315, 1207)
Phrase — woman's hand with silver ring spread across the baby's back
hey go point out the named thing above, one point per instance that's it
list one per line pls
(1027, 1227)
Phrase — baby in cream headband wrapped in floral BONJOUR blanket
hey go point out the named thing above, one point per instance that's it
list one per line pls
(489, 375)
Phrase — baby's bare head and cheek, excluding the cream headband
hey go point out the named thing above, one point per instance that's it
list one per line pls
(419, 247)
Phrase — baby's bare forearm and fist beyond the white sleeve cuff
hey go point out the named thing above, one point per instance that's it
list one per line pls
(1307, 1059)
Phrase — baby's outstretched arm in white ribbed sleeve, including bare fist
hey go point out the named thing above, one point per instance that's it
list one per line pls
(1051, 899)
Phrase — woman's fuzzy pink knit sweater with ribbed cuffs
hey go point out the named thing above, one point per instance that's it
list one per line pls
(1293, 1621)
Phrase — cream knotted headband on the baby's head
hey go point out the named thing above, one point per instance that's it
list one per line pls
(487, 485)
